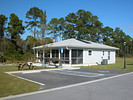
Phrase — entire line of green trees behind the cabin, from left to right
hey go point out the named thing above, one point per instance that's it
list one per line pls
(79, 25)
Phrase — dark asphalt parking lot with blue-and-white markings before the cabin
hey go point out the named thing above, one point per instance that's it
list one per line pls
(58, 78)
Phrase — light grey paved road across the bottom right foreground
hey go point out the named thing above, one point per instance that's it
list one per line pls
(118, 87)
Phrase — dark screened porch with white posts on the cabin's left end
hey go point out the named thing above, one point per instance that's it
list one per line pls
(57, 56)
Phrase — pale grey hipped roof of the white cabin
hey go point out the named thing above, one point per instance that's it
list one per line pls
(74, 43)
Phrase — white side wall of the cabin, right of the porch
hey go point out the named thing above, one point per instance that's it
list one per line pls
(97, 56)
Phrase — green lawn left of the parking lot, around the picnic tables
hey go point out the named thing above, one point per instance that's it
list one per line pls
(10, 85)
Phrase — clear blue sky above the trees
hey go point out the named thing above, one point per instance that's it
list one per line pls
(112, 13)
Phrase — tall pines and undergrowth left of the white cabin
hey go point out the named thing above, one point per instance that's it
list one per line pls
(12, 47)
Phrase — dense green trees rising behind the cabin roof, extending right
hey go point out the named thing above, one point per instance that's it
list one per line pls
(84, 25)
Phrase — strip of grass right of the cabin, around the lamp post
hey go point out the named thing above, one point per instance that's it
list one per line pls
(119, 65)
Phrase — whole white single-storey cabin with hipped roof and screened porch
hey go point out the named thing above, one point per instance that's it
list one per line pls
(73, 52)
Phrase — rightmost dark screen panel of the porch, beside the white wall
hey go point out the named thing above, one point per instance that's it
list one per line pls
(77, 56)
